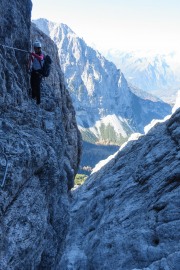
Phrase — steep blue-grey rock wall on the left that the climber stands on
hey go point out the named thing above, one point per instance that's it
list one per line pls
(42, 145)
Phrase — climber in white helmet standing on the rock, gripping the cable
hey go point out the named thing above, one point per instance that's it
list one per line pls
(35, 66)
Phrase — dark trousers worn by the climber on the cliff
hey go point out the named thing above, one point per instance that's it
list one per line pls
(36, 80)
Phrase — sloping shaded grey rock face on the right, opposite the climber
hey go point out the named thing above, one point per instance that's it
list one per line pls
(127, 215)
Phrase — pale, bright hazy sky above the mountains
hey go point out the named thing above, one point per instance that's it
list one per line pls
(120, 24)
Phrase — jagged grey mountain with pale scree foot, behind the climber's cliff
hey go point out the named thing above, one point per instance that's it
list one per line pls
(107, 109)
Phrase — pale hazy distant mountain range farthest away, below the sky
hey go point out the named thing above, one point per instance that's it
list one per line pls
(155, 73)
